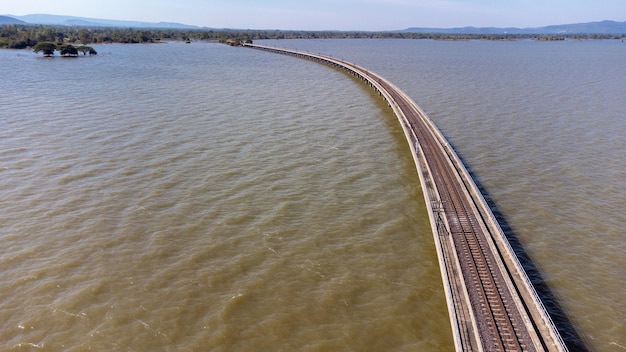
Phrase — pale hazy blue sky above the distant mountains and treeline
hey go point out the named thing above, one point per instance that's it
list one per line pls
(333, 14)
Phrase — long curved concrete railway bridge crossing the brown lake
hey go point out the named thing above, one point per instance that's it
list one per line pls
(491, 302)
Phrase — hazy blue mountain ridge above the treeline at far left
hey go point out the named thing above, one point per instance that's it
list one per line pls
(94, 22)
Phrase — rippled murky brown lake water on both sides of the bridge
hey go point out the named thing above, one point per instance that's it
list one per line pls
(202, 197)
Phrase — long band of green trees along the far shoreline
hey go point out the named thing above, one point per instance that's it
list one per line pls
(17, 36)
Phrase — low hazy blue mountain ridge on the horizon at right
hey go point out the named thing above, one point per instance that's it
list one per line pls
(602, 27)
